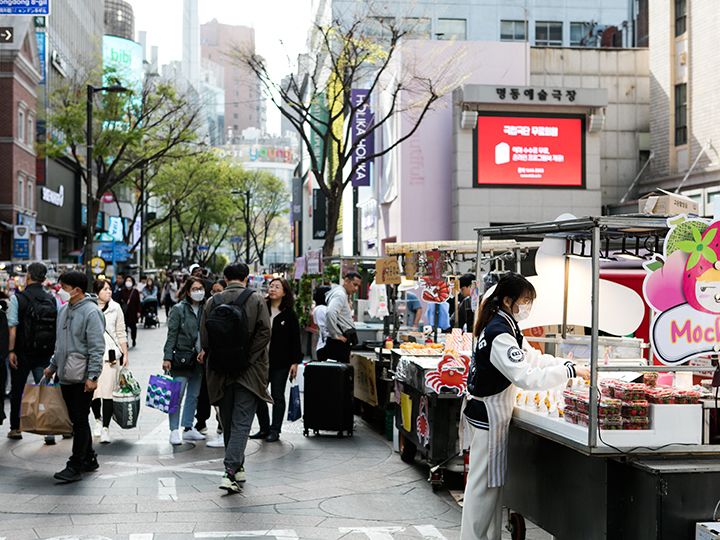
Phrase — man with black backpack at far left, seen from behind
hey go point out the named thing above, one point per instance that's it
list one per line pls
(32, 318)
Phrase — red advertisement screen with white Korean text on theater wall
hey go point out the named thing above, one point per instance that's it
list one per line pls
(530, 151)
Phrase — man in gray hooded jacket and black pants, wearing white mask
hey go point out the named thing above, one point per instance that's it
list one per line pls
(78, 361)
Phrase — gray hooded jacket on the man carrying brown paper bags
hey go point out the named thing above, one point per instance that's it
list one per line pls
(80, 329)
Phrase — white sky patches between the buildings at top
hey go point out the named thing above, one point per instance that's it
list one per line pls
(280, 30)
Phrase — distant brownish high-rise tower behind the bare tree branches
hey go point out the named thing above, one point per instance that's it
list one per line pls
(244, 106)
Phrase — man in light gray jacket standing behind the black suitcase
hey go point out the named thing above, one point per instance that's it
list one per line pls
(340, 326)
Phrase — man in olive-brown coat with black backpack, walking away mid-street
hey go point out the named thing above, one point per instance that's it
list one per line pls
(235, 333)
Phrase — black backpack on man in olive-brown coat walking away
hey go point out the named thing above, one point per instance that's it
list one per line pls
(229, 336)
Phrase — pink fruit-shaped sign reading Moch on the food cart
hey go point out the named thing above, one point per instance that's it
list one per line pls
(683, 288)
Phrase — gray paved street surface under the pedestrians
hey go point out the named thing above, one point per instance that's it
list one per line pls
(316, 487)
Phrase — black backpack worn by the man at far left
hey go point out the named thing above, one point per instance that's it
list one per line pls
(39, 324)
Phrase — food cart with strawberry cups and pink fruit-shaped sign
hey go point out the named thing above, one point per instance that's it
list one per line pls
(596, 481)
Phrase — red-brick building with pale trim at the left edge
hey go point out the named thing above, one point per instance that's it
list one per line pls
(19, 78)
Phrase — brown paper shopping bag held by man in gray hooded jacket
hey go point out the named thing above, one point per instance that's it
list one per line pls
(43, 410)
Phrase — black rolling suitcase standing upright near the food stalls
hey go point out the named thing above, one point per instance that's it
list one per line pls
(328, 403)
